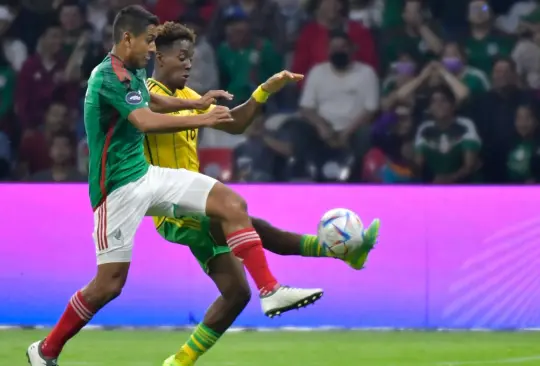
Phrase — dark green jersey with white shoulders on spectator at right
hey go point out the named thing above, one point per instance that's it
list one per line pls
(443, 149)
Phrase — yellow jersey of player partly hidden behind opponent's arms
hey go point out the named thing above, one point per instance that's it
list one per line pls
(173, 150)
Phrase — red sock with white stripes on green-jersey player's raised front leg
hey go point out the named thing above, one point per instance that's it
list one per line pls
(247, 246)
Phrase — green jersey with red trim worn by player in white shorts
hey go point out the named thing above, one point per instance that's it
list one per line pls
(116, 151)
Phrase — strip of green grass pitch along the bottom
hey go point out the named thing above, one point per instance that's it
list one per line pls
(148, 348)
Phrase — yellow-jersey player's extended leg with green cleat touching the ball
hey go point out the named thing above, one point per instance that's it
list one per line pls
(287, 243)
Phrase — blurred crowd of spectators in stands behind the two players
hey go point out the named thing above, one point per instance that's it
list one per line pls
(441, 91)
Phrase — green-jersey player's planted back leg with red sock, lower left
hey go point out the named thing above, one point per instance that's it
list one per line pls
(82, 306)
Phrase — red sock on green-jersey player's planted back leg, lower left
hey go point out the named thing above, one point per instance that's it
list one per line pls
(75, 317)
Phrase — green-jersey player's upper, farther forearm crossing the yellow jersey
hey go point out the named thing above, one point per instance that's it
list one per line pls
(167, 104)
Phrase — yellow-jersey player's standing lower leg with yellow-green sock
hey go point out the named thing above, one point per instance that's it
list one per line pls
(228, 275)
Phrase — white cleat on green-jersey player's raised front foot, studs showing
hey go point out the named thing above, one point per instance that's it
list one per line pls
(286, 298)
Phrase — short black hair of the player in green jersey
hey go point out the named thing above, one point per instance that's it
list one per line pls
(133, 19)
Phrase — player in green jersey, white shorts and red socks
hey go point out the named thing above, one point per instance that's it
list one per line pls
(118, 111)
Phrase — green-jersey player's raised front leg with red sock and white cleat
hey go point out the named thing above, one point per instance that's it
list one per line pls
(231, 210)
